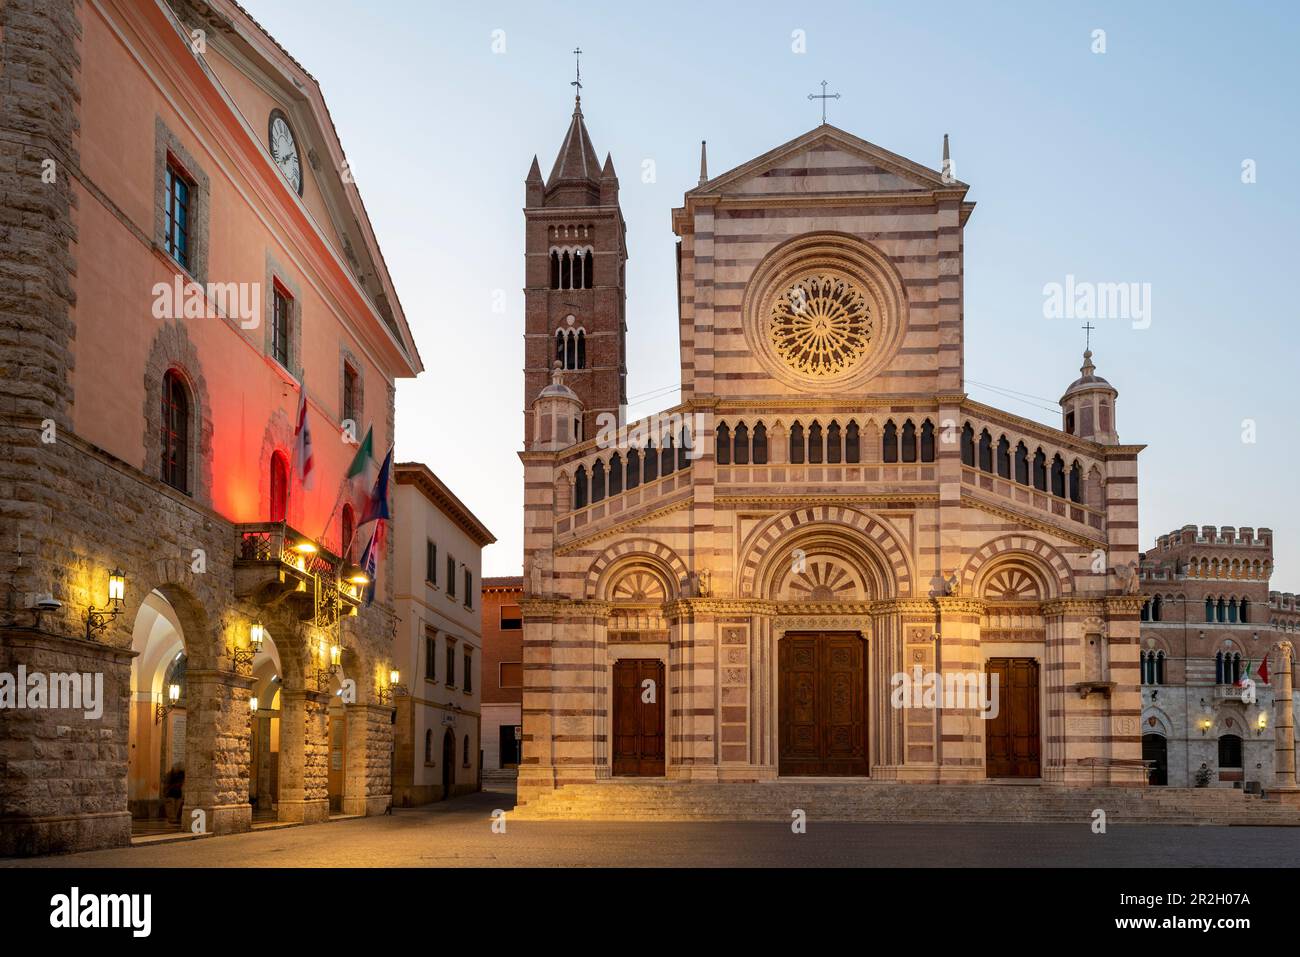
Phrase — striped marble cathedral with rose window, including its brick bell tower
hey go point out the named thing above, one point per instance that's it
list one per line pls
(827, 560)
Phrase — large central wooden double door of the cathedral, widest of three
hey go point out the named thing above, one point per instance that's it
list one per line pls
(822, 708)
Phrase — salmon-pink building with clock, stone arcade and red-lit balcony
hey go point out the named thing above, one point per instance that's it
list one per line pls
(185, 259)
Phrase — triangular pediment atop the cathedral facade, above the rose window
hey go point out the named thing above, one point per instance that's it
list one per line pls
(826, 161)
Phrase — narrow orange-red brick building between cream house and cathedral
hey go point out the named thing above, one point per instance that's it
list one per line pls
(504, 677)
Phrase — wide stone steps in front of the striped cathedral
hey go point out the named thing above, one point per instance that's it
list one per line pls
(872, 802)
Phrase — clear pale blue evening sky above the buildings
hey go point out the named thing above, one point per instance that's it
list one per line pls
(1116, 167)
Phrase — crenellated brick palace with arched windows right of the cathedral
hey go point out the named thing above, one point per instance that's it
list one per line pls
(1210, 625)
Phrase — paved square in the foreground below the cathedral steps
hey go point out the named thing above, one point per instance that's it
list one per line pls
(460, 834)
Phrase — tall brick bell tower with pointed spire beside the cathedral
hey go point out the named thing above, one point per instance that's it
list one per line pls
(574, 289)
